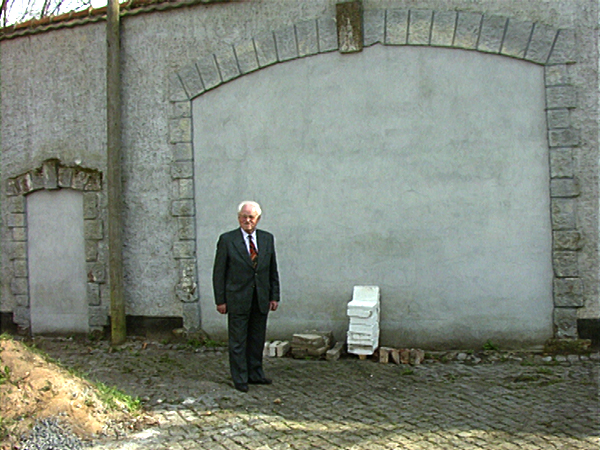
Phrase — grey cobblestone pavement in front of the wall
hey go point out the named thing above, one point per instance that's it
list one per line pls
(514, 403)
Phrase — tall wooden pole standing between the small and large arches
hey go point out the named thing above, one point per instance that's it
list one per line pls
(114, 181)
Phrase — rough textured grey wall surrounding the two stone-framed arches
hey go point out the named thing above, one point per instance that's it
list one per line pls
(60, 114)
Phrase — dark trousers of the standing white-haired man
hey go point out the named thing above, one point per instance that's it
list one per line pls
(246, 342)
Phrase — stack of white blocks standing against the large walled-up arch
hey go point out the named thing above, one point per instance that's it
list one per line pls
(363, 311)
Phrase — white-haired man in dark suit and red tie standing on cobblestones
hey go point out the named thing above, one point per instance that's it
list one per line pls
(246, 288)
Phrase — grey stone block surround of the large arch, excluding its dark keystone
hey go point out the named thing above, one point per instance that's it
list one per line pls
(532, 42)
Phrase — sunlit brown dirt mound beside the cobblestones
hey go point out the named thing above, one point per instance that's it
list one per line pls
(32, 388)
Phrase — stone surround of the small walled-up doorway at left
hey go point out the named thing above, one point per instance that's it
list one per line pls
(52, 175)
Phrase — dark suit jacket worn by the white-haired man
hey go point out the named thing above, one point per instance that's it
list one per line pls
(235, 278)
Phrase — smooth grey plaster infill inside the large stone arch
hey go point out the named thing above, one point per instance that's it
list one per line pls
(423, 171)
